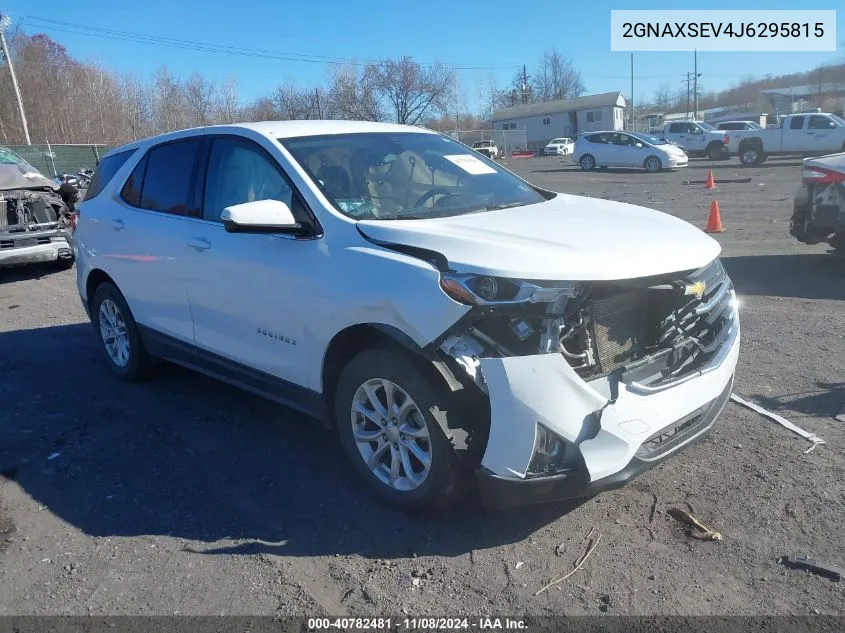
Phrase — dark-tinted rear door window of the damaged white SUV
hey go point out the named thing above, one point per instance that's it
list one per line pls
(168, 177)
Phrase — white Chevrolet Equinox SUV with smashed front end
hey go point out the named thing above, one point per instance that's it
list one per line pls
(454, 323)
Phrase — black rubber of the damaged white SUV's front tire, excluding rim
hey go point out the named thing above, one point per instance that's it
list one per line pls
(447, 480)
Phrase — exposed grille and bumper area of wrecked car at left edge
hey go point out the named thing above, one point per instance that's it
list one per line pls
(36, 225)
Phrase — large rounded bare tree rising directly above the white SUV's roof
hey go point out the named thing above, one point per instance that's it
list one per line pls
(410, 91)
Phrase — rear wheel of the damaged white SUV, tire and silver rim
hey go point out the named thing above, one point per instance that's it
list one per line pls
(120, 338)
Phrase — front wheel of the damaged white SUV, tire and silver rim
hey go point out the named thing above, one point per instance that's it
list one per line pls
(390, 417)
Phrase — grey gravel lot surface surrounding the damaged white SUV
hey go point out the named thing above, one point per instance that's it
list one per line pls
(186, 496)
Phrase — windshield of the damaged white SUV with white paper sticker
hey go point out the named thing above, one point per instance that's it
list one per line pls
(406, 175)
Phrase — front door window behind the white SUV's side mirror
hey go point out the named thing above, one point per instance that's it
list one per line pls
(239, 171)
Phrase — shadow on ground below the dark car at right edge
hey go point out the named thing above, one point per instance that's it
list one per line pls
(810, 276)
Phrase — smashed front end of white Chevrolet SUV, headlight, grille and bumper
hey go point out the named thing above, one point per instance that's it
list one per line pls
(570, 367)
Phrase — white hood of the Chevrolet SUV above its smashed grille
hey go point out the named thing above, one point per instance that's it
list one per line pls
(570, 237)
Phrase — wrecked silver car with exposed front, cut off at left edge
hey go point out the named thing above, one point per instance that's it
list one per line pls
(36, 215)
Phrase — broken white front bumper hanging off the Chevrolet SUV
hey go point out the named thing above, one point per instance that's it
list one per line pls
(610, 441)
